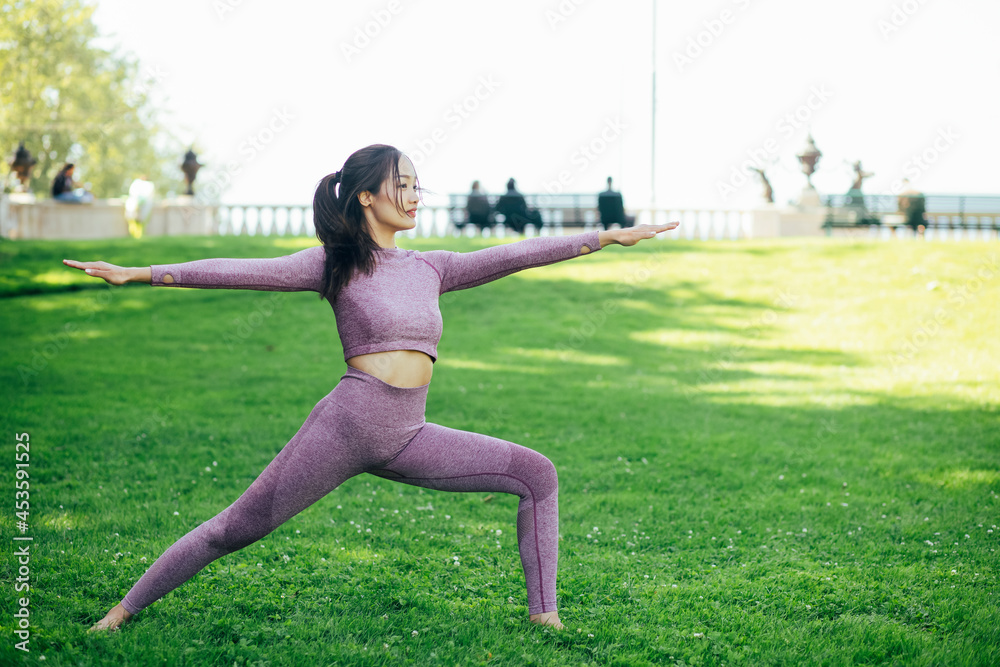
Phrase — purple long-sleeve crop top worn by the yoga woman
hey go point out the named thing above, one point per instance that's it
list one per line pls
(396, 307)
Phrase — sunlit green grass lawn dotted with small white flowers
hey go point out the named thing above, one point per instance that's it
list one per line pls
(770, 453)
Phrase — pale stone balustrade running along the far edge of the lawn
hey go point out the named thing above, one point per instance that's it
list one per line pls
(25, 218)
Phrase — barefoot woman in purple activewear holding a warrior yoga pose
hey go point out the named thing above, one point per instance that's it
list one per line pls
(386, 304)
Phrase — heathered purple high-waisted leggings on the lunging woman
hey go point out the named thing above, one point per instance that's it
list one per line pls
(367, 425)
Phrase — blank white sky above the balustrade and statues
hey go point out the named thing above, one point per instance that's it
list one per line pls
(276, 95)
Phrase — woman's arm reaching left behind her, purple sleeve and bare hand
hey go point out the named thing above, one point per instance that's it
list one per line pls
(301, 271)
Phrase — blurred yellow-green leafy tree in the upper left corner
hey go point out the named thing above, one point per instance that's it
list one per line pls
(71, 101)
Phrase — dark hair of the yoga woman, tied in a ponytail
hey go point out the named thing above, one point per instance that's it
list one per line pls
(339, 217)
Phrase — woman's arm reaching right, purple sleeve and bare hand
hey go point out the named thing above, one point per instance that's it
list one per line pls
(462, 270)
